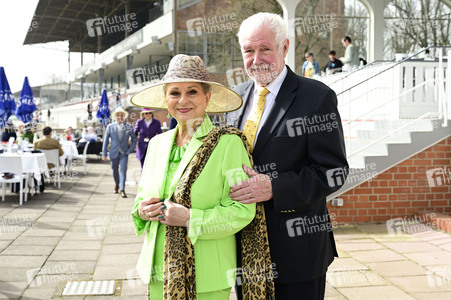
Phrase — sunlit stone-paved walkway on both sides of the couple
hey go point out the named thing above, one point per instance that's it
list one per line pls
(83, 232)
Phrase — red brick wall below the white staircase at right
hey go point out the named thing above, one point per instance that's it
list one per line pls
(400, 191)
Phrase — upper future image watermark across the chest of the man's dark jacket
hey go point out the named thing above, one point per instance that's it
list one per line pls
(310, 125)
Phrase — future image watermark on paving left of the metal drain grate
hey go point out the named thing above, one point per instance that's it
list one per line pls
(56, 273)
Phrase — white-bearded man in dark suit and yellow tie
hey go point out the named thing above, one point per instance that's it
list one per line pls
(294, 130)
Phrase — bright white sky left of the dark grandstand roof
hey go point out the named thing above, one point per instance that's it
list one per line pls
(38, 62)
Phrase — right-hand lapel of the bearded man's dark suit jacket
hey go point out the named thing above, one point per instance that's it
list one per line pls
(282, 102)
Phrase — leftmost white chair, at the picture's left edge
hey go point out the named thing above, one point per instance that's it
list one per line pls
(13, 165)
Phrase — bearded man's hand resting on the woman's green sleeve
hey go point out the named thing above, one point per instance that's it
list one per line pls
(255, 189)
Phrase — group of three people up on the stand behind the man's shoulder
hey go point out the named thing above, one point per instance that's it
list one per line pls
(349, 62)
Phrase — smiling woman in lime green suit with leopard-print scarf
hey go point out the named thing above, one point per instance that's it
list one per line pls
(183, 204)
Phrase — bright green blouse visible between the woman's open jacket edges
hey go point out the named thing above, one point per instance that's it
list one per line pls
(174, 160)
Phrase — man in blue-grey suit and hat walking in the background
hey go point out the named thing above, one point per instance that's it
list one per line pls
(123, 141)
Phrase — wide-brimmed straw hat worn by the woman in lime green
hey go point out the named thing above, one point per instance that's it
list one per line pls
(184, 68)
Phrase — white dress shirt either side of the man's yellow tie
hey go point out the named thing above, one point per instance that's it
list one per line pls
(270, 98)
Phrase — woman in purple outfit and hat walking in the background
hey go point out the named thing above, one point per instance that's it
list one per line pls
(147, 127)
